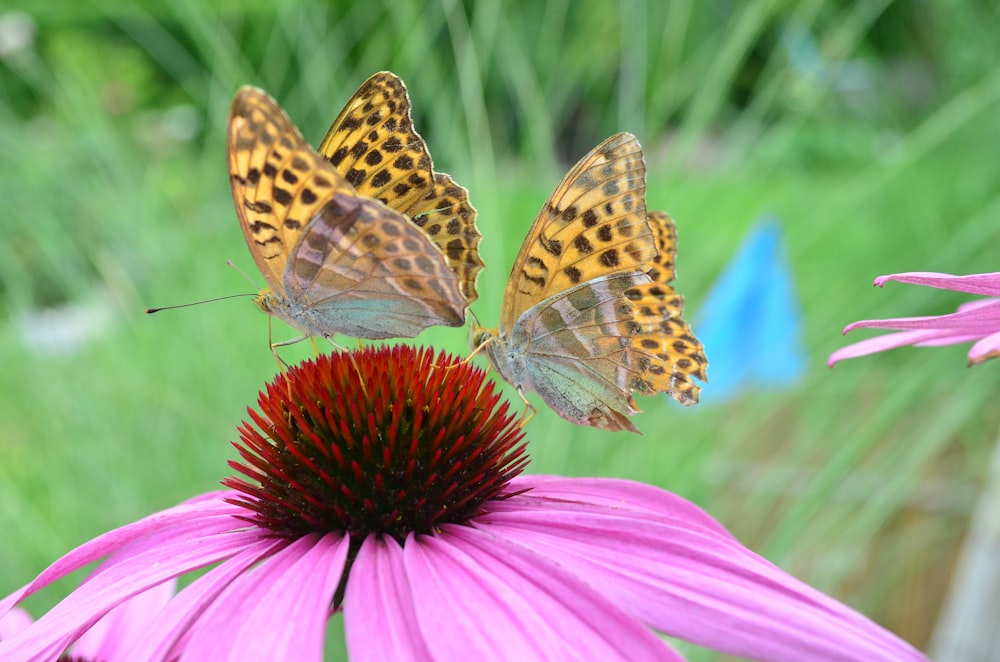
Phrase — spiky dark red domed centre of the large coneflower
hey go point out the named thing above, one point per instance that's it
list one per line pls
(380, 440)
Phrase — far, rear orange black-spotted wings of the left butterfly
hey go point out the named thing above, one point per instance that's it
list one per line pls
(374, 145)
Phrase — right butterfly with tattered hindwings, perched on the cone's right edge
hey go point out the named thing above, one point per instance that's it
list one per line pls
(572, 324)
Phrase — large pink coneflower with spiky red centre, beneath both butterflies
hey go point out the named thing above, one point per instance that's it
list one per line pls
(394, 501)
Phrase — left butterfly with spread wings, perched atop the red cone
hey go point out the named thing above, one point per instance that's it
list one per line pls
(362, 238)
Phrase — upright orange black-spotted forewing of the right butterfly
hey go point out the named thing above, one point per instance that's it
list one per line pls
(593, 225)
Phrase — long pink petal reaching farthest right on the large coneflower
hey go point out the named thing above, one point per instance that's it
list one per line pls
(689, 582)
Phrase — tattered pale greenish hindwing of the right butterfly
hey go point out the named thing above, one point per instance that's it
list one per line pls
(577, 352)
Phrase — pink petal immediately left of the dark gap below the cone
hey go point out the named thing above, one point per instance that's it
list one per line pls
(278, 610)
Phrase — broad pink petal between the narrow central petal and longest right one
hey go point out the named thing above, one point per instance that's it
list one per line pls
(483, 597)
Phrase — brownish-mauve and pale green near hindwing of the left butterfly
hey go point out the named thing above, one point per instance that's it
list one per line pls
(364, 270)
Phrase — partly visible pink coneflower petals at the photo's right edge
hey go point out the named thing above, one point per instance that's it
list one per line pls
(976, 321)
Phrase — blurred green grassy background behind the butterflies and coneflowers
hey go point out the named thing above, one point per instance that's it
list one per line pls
(868, 131)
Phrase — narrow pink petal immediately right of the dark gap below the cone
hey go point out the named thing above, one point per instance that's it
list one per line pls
(378, 599)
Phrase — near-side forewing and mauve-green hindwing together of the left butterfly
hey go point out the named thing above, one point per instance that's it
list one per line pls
(335, 261)
